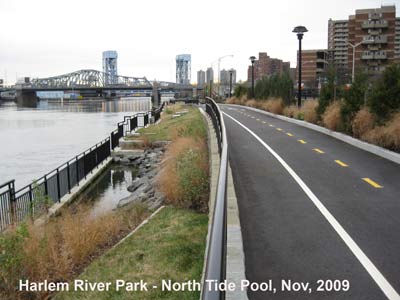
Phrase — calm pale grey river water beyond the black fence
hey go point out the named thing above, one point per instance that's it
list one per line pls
(36, 141)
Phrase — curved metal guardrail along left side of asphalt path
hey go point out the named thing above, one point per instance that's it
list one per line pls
(216, 255)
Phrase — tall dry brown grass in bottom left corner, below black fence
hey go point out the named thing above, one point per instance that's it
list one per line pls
(60, 249)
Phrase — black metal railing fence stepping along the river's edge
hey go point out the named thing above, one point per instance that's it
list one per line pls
(35, 198)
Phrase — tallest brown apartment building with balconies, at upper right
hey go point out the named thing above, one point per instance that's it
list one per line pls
(378, 31)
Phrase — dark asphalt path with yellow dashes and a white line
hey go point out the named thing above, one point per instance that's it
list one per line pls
(306, 212)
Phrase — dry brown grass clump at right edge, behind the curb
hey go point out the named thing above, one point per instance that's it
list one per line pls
(387, 136)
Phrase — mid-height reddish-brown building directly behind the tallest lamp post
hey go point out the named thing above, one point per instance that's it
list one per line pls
(314, 66)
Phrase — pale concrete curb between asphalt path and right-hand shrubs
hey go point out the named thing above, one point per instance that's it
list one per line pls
(382, 152)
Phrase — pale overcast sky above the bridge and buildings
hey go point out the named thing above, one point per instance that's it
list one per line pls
(41, 38)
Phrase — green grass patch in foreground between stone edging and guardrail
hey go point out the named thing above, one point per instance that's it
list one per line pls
(171, 246)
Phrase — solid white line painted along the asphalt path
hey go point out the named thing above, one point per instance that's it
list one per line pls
(380, 280)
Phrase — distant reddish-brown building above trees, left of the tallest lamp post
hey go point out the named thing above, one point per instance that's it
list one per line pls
(266, 66)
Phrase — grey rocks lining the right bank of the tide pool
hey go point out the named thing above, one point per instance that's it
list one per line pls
(143, 187)
